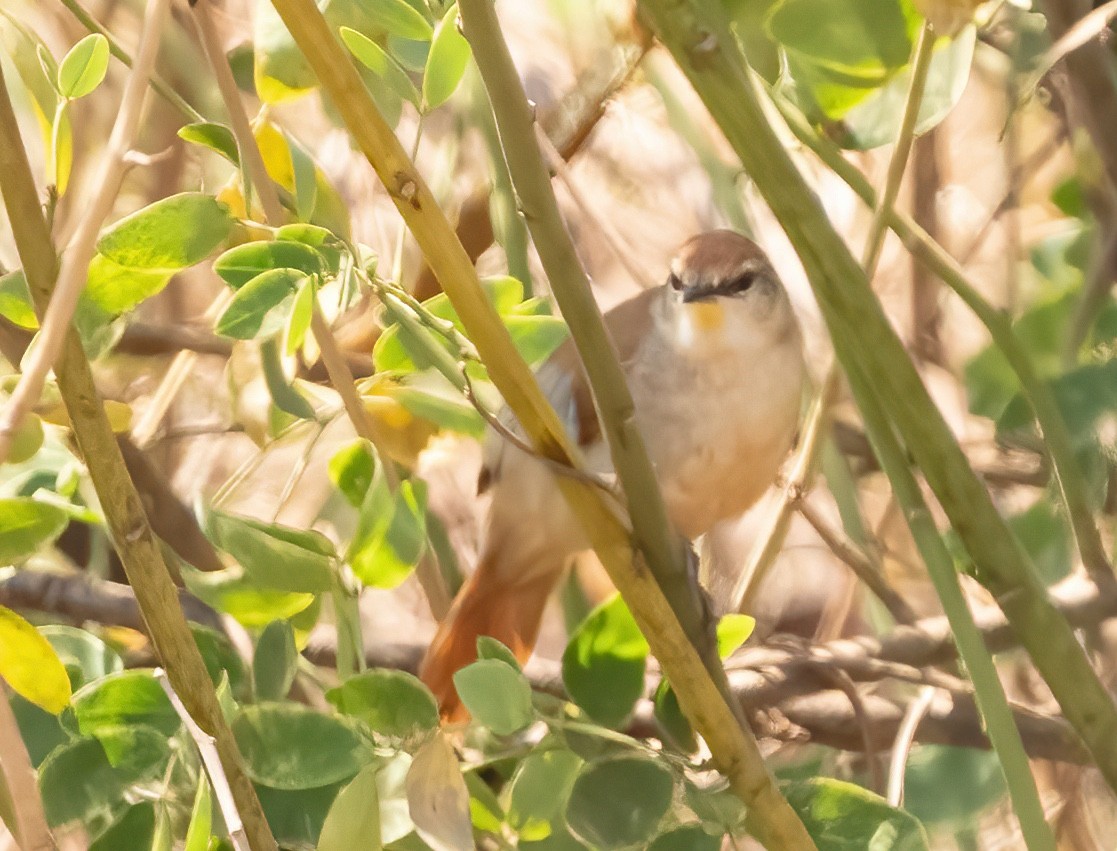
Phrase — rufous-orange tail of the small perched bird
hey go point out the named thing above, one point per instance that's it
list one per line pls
(489, 605)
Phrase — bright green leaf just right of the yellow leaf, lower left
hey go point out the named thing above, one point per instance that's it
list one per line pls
(125, 699)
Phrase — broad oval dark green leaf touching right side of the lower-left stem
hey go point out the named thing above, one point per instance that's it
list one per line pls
(288, 747)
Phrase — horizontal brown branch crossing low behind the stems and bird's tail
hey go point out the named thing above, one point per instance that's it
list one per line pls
(788, 690)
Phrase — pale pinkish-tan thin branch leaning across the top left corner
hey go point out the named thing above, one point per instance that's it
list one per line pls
(75, 265)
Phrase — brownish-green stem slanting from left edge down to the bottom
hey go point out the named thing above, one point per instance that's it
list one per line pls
(137, 546)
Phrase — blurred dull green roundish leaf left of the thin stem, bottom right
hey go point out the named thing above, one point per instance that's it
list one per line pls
(952, 786)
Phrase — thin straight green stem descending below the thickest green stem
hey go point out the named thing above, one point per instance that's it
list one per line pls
(1000, 724)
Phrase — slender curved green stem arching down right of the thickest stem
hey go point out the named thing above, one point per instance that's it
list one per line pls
(1070, 475)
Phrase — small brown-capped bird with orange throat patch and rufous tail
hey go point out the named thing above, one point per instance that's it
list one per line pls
(714, 361)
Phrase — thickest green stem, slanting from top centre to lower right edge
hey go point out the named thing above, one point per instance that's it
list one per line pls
(698, 34)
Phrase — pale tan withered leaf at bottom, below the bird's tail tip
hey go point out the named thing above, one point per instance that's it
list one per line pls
(437, 797)
